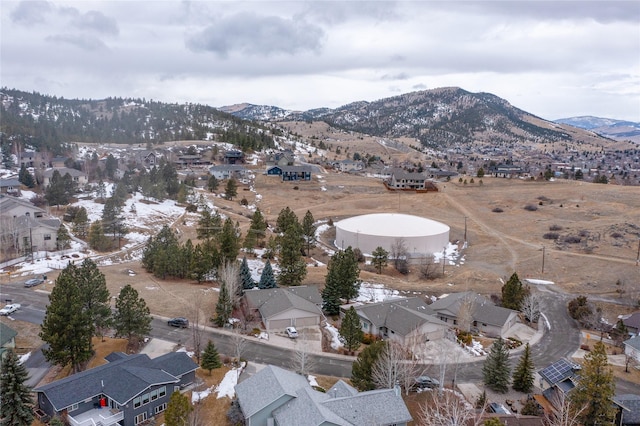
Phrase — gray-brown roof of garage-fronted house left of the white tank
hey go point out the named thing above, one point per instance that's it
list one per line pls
(273, 301)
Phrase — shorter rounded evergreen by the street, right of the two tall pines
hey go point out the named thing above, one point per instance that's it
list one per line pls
(132, 317)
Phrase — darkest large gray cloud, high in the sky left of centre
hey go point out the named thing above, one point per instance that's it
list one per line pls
(248, 33)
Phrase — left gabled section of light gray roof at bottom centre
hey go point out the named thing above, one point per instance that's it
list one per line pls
(266, 386)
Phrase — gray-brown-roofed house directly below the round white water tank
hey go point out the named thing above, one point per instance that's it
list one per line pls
(402, 320)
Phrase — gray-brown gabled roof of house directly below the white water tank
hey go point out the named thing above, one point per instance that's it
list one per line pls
(400, 315)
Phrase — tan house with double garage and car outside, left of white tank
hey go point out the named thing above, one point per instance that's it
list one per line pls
(280, 308)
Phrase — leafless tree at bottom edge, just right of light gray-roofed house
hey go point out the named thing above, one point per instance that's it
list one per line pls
(447, 409)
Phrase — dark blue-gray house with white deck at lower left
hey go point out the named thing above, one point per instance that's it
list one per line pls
(126, 391)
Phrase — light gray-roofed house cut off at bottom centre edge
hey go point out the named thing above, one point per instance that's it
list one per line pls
(275, 396)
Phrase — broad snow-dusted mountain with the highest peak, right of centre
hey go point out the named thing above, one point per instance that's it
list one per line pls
(438, 118)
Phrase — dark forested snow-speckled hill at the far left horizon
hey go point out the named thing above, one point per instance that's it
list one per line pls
(46, 122)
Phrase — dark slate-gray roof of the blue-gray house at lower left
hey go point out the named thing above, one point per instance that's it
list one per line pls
(121, 380)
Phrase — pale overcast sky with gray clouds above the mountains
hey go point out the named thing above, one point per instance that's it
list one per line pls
(554, 59)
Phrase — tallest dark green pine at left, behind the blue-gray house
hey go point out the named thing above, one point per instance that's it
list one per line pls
(67, 326)
